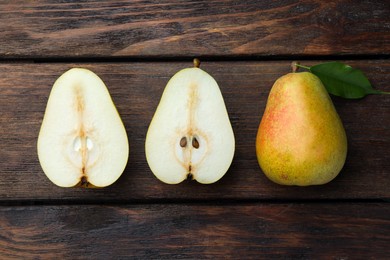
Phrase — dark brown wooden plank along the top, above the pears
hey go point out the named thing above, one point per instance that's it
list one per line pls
(39, 29)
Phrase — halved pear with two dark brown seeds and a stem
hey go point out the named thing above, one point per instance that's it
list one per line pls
(190, 134)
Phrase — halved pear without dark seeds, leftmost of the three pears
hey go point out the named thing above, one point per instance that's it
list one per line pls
(82, 141)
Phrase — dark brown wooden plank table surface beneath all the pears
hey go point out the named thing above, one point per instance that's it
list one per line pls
(245, 45)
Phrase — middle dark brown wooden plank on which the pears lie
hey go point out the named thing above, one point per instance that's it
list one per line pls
(136, 89)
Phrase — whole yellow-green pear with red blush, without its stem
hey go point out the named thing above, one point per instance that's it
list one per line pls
(301, 139)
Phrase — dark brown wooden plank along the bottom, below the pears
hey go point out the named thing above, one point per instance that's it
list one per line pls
(255, 231)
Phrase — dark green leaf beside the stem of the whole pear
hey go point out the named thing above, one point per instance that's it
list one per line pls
(342, 80)
